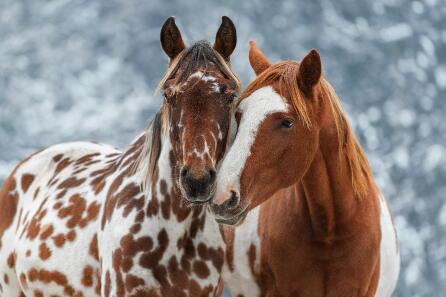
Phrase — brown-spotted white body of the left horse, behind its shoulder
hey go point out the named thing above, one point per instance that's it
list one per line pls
(50, 207)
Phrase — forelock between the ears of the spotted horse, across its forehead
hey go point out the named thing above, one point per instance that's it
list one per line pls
(199, 56)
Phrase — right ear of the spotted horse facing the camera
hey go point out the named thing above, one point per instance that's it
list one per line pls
(226, 38)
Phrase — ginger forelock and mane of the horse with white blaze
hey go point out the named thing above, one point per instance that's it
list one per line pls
(285, 74)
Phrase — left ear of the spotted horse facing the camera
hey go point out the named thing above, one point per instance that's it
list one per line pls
(171, 39)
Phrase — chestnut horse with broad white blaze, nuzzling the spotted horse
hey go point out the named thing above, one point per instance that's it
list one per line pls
(322, 227)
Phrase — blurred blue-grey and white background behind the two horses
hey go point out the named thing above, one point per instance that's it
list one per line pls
(86, 70)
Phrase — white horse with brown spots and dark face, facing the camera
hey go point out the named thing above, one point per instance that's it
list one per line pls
(84, 219)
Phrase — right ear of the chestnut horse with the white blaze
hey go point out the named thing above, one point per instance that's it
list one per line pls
(310, 71)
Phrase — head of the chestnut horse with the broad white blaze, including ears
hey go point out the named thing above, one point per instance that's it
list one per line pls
(281, 117)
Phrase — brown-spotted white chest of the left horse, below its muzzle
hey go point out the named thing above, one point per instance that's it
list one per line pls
(161, 247)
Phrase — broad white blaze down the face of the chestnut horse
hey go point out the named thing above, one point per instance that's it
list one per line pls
(255, 109)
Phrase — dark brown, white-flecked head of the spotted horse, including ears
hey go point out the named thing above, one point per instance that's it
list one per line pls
(199, 88)
